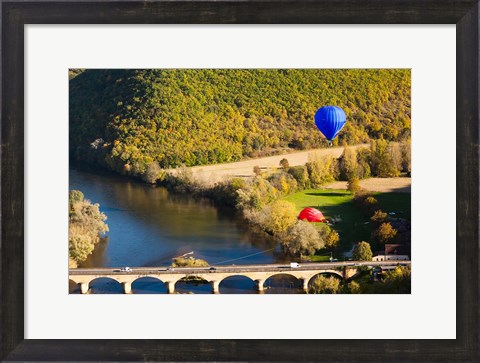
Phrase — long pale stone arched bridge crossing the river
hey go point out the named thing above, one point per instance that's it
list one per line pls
(215, 275)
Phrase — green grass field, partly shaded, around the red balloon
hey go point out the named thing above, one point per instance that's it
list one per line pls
(353, 226)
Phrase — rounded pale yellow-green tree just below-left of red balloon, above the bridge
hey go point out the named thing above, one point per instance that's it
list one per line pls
(302, 239)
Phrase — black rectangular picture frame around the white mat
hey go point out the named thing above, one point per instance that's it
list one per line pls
(15, 14)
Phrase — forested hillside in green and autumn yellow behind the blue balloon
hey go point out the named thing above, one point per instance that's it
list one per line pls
(129, 120)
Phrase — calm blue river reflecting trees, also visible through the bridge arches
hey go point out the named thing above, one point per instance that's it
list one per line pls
(148, 226)
